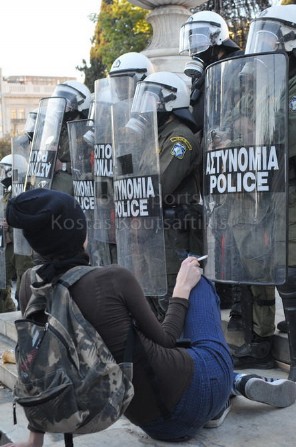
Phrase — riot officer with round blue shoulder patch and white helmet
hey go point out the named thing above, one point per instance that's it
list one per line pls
(180, 168)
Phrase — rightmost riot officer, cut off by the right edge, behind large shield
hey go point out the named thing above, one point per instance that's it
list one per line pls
(274, 30)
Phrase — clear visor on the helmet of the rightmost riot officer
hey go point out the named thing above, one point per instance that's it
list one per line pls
(264, 36)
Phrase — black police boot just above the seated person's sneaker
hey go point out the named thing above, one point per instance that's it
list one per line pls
(254, 354)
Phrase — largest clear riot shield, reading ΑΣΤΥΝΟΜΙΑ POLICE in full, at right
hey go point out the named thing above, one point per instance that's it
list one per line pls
(245, 169)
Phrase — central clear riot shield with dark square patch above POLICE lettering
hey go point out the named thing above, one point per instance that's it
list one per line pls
(137, 197)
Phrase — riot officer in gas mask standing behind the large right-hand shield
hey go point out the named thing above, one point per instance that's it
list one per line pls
(205, 37)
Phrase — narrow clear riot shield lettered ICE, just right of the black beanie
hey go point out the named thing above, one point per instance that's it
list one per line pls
(82, 160)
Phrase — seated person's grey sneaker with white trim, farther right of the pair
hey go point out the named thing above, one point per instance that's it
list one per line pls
(276, 392)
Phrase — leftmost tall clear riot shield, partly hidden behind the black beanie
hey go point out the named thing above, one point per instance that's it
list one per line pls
(20, 159)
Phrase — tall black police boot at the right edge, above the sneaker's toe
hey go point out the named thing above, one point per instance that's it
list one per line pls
(288, 294)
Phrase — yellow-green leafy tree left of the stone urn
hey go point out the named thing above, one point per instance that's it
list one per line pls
(120, 28)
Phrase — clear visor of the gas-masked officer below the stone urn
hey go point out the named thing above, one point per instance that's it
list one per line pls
(196, 37)
